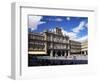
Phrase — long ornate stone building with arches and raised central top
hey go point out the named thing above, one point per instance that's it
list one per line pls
(53, 44)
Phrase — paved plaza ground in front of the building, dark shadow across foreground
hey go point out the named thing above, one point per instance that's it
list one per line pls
(59, 60)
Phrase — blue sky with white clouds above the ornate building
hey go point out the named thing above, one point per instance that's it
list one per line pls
(75, 27)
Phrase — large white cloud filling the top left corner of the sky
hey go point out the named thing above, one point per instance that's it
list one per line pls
(34, 21)
